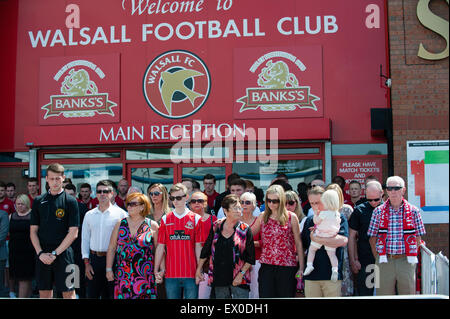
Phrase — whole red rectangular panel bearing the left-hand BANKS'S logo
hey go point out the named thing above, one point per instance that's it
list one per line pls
(79, 90)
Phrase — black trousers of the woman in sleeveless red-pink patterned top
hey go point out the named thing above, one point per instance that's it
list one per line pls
(277, 281)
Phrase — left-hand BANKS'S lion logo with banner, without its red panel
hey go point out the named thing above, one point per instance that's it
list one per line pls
(79, 96)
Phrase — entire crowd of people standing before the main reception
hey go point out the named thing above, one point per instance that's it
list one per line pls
(184, 242)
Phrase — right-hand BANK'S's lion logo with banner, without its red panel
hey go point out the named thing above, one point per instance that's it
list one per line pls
(278, 89)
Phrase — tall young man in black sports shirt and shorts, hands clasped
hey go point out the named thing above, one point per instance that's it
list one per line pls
(54, 226)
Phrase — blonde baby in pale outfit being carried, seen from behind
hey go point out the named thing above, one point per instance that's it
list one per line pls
(327, 224)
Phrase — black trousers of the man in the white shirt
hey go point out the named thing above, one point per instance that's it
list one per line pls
(99, 287)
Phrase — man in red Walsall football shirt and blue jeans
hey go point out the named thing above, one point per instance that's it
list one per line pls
(180, 236)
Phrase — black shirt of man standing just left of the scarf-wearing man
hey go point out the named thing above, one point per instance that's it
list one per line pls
(360, 221)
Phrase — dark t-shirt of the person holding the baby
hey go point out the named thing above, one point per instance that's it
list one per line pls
(322, 264)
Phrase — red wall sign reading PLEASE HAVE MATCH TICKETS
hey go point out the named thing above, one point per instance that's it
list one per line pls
(359, 170)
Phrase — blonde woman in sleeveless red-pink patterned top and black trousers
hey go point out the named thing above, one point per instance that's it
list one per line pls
(282, 257)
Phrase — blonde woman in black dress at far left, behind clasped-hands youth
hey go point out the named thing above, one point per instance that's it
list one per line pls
(21, 251)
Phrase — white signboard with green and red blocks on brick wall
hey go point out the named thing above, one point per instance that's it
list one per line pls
(428, 179)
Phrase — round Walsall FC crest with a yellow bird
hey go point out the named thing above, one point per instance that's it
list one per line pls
(176, 84)
